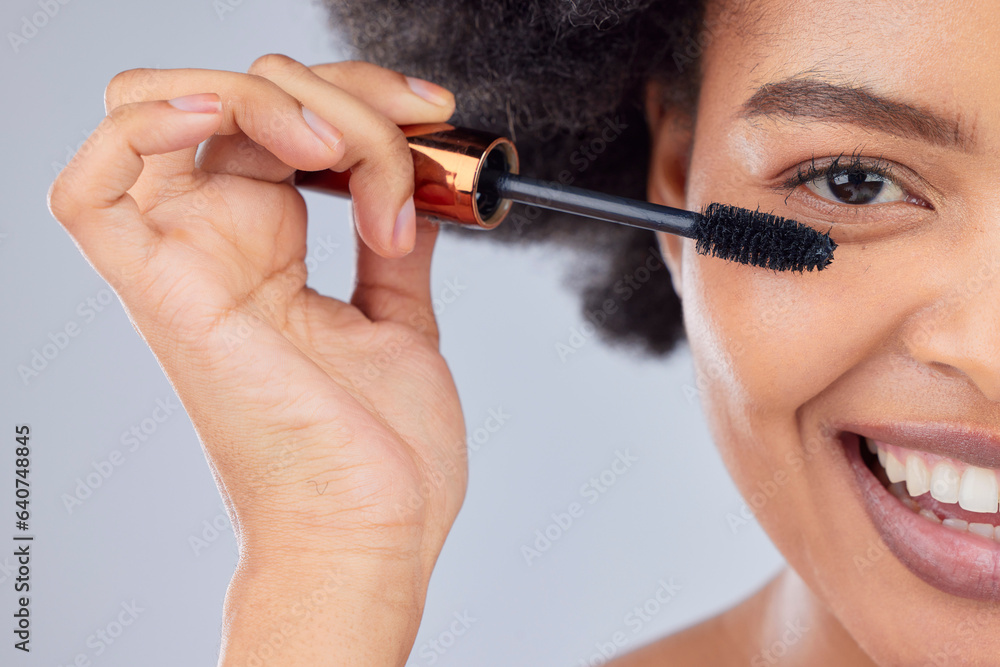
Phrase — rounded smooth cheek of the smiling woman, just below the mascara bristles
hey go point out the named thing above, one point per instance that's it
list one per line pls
(766, 343)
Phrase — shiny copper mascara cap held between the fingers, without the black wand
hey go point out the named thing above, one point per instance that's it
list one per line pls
(448, 162)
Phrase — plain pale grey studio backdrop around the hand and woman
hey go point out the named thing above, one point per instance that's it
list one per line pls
(153, 536)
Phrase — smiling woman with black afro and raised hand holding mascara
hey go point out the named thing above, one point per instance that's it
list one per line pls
(880, 125)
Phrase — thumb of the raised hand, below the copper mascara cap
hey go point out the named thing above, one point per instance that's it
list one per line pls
(398, 289)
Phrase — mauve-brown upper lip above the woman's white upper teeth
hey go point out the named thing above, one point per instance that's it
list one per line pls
(972, 444)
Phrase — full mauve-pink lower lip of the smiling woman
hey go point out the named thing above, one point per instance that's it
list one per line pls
(958, 563)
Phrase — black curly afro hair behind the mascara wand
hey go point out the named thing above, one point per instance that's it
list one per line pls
(565, 80)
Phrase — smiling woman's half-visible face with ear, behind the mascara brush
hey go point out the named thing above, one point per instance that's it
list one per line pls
(881, 122)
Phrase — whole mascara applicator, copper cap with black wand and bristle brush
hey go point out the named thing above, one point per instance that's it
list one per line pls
(470, 177)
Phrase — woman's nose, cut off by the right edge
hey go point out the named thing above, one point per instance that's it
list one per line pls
(959, 334)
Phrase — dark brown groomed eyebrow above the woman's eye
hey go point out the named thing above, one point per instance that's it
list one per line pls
(820, 100)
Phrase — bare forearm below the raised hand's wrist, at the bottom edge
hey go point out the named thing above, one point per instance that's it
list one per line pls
(339, 610)
